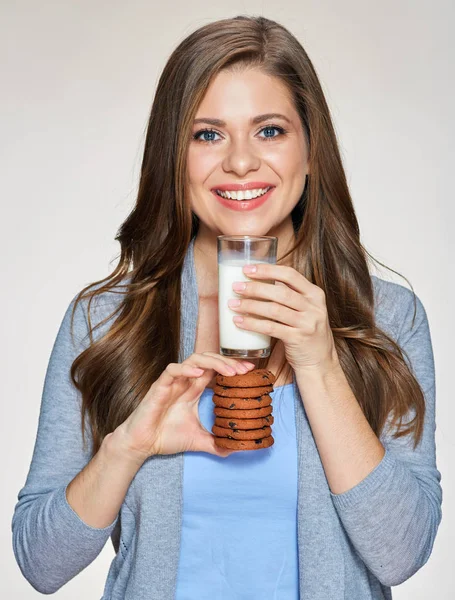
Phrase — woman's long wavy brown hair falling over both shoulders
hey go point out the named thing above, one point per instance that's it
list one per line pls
(115, 371)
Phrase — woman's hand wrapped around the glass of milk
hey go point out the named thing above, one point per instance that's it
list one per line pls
(295, 313)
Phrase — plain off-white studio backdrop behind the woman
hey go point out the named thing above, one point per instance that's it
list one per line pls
(78, 79)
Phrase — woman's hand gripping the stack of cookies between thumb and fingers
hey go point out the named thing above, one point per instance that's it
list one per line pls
(167, 420)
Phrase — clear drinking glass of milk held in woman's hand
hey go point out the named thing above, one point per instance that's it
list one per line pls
(235, 251)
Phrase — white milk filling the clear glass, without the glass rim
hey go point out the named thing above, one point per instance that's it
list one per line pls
(231, 336)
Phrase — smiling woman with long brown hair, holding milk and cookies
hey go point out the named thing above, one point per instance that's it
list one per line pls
(347, 502)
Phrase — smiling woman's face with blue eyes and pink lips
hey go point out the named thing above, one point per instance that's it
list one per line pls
(269, 152)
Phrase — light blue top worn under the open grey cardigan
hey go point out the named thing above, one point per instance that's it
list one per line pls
(239, 530)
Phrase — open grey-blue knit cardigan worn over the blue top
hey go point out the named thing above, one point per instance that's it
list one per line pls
(352, 545)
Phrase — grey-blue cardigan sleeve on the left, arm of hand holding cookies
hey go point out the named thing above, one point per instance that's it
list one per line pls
(51, 542)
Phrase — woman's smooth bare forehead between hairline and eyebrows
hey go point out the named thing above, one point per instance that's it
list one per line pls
(241, 95)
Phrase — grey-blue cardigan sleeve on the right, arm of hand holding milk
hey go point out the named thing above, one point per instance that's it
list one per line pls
(393, 514)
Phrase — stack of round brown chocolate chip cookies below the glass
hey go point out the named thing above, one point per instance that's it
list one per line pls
(243, 410)
